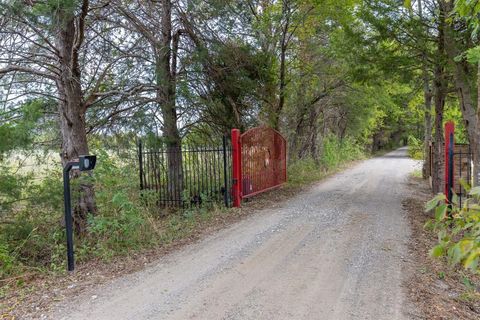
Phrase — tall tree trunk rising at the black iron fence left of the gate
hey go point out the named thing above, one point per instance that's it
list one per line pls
(166, 73)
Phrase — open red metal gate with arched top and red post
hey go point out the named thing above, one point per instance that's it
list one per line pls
(259, 162)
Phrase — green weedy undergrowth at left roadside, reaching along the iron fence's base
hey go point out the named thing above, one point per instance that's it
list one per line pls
(32, 235)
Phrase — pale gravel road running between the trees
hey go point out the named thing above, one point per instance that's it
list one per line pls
(333, 252)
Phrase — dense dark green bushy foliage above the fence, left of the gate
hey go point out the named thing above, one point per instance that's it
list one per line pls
(237, 75)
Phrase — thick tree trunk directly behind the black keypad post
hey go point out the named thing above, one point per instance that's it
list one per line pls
(71, 111)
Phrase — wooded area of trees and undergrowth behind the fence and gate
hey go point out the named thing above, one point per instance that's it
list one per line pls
(338, 78)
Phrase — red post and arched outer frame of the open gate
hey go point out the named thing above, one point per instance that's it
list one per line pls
(237, 190)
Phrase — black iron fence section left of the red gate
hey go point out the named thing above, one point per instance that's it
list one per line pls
(186, 176)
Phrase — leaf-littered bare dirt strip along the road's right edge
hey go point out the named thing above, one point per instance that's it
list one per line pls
(437, 289)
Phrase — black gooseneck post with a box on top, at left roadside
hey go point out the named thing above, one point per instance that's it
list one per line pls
(84, 163)
